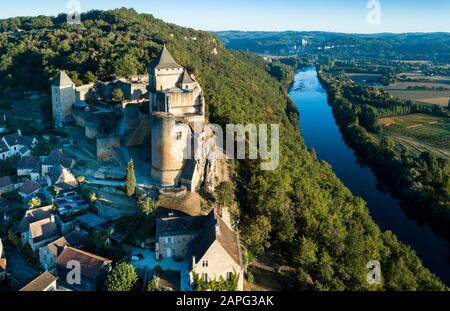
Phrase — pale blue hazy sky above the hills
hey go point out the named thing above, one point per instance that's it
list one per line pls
(327, 15)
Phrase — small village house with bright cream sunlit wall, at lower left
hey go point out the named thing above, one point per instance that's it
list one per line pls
(41, 232)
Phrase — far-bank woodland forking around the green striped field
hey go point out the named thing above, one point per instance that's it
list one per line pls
(422, 180)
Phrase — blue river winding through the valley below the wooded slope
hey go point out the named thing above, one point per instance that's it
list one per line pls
(320, 132)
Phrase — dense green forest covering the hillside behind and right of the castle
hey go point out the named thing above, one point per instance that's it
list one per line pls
(301, 210)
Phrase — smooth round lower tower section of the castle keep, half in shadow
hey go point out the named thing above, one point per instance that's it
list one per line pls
(169, 146)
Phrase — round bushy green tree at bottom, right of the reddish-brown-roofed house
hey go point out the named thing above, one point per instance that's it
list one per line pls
(122, 278)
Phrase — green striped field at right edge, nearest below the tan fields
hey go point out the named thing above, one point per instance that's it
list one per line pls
(420, 132)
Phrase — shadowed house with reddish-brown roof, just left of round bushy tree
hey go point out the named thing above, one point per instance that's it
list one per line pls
(94, 269)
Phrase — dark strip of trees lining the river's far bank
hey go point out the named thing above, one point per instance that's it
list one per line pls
(419, 181)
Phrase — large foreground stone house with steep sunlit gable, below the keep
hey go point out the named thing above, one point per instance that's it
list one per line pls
(210, 245)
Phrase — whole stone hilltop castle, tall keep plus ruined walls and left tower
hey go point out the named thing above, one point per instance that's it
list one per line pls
(176, 119)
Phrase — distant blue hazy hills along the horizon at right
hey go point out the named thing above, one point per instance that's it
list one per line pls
(407, 46)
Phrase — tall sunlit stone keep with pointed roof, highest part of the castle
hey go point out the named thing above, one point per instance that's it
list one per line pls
(177, 109)
